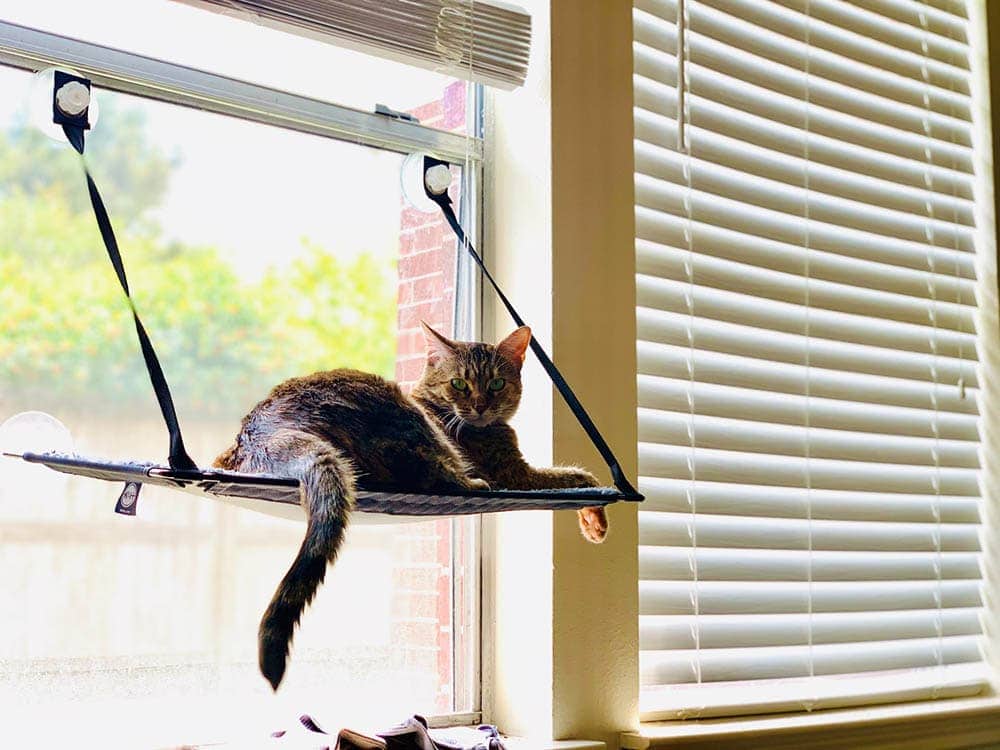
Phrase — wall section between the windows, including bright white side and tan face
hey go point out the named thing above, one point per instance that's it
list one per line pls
(562, 628)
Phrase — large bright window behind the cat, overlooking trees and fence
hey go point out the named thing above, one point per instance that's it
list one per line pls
(252, 257)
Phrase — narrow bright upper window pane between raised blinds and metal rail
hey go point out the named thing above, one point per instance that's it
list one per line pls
(209, 41)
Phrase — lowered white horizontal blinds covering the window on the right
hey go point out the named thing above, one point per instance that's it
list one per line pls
(808, 397)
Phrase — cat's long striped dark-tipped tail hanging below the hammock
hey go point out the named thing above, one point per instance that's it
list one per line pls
(327, 481)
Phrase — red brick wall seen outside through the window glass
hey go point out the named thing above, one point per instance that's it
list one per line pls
(422, 616)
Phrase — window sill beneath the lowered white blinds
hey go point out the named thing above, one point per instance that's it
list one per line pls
(954, 723)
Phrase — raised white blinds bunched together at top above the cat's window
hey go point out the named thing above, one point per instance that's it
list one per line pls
(487, 41)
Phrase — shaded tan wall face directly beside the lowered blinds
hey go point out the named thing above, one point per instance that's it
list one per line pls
(593, 273)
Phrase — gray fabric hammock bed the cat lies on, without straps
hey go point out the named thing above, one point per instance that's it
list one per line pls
(262, 489)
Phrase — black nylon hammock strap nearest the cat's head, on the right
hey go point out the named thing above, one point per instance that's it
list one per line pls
(617, 475)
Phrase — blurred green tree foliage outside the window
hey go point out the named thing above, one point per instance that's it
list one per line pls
(66, 335)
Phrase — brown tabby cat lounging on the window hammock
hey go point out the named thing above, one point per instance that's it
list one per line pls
(329, 428)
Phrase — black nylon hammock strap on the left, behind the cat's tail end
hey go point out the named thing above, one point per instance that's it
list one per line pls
(178, 459)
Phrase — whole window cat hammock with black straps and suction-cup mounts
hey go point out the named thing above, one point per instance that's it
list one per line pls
(280, 495)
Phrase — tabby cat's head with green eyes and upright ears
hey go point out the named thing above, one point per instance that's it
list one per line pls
(479, 383)
